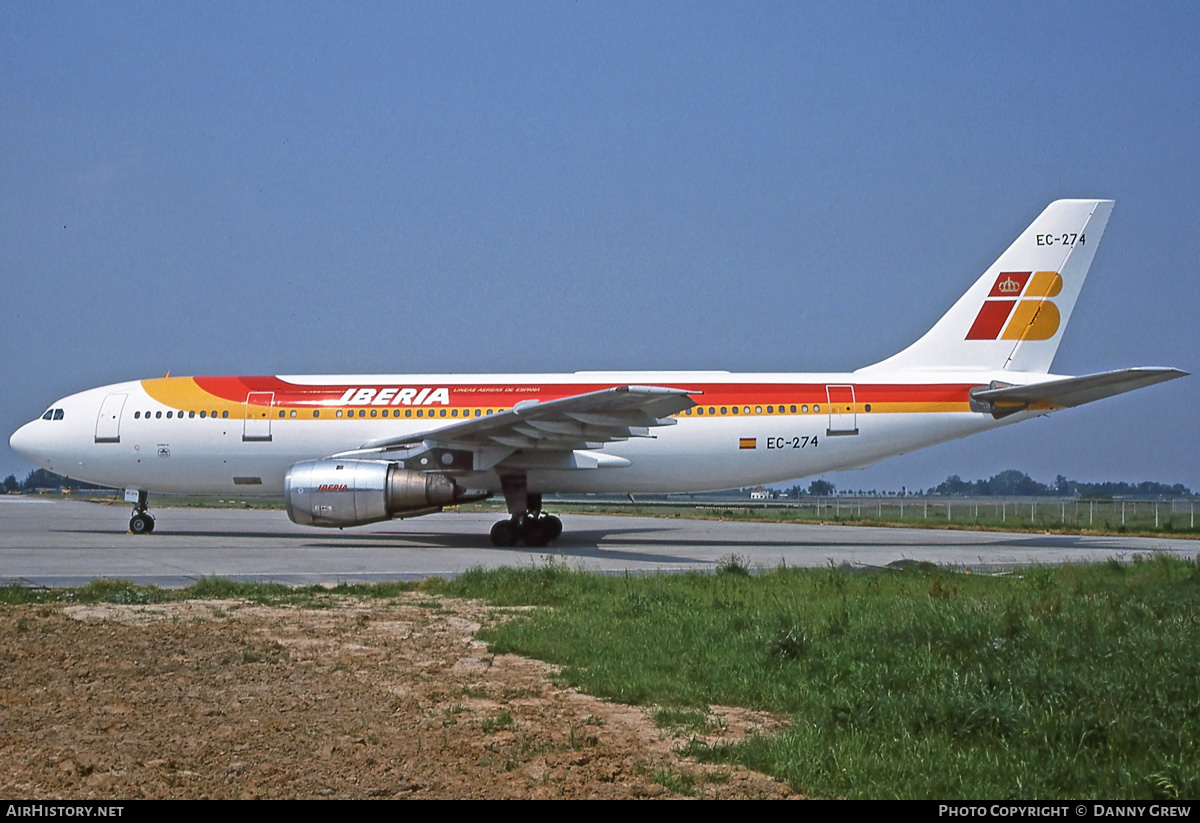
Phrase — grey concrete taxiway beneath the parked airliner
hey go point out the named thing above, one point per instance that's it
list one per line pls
(67, 543)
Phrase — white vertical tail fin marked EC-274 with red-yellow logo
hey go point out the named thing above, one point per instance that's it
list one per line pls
(1015, 316)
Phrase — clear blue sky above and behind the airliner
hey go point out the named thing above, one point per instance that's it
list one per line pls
(493, 188)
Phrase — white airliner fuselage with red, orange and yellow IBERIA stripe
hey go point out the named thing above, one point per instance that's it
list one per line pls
(219, 436)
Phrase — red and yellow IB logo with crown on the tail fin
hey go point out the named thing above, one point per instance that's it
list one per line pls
(1019, 308)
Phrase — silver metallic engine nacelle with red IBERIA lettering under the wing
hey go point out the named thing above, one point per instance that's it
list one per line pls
(356, 492)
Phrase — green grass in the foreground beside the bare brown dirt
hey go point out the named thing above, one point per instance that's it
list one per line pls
(1077, 682)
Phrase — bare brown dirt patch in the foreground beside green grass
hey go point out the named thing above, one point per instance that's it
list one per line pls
(231, 700)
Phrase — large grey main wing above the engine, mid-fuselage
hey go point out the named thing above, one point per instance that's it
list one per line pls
(567, 425)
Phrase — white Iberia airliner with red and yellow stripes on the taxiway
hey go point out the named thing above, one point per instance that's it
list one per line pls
(350, 450)
